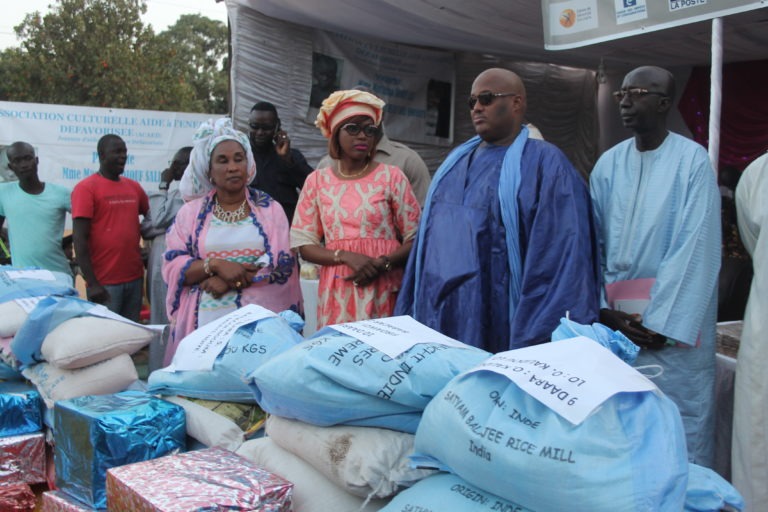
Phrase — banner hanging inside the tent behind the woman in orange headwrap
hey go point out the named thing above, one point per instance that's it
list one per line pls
(417, 84)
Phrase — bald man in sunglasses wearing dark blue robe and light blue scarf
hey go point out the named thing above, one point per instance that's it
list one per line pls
(504, 248)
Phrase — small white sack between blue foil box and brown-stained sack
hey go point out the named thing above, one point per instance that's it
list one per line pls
(208, 427)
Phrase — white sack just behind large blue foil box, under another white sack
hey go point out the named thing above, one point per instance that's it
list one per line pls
(104, 378)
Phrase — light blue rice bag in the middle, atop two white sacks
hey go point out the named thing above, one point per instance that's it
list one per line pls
(335, 379)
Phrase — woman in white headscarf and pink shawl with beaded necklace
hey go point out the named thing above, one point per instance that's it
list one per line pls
(229, 245)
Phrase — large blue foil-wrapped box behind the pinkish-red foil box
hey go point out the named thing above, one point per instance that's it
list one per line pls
(95, 433)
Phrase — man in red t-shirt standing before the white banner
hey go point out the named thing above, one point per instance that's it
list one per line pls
(105, 212)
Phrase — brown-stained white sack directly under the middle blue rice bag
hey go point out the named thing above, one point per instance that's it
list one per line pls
(364, 461)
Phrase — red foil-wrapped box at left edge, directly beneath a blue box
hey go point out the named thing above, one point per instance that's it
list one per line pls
(22, 459)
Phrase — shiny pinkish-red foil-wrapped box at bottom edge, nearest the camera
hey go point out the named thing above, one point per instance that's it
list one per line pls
(210, 479)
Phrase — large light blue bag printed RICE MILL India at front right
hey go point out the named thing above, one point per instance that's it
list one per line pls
(629, 454)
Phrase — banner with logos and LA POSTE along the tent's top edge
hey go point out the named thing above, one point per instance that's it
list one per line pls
(574, 23)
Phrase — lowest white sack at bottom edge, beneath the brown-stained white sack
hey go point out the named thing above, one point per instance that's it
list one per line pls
(312, 492)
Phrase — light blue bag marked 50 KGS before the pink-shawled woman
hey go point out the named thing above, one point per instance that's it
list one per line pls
(250, 346)
